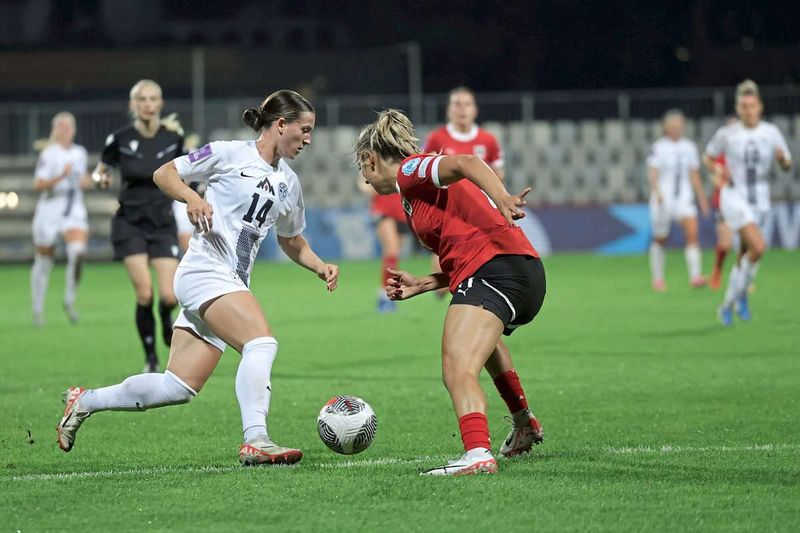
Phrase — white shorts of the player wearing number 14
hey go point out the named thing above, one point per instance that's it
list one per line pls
(194, 286)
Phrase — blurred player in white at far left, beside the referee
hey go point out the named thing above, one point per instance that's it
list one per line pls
(61, 175)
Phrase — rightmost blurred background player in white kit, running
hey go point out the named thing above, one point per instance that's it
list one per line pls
(750, 145)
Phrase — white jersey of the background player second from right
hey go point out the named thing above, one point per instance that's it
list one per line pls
(674, 161)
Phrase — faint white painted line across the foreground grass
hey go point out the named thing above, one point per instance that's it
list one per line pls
(360, 463)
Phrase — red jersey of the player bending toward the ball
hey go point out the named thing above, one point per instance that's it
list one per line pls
(458, 222)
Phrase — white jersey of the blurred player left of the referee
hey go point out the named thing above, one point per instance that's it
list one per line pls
(67, 194)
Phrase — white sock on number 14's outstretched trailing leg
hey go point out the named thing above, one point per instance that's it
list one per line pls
(139, 393)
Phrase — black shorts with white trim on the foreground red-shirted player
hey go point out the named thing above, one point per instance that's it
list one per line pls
(510, 286)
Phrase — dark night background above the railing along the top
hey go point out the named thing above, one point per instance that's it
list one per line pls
(492, 46)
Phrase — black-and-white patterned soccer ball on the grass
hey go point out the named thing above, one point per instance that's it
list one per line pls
(347, 424)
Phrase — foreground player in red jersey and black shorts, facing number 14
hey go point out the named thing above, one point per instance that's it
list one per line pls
(458, 208)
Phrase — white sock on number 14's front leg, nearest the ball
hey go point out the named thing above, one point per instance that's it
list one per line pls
(253, 388)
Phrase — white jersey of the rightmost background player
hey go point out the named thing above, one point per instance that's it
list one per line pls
(749, 153)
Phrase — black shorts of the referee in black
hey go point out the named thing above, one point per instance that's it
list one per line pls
(144, 232)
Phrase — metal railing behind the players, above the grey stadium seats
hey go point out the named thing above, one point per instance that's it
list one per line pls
(21, 123)
